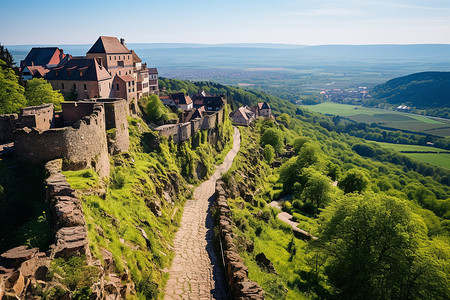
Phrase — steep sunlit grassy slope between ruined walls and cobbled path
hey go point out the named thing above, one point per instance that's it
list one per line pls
(137, 180)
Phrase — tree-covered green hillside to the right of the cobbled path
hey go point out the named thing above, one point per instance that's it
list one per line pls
(382, 227)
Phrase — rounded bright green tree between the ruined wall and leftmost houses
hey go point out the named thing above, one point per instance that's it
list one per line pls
(38, 91)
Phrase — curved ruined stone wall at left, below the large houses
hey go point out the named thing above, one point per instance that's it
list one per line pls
(81, 145)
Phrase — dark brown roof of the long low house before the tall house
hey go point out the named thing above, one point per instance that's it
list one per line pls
(83, 69)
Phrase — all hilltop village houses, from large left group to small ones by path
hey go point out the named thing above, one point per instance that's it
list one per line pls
(111, 70)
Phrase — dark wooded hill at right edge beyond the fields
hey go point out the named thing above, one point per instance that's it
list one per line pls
(419, 90)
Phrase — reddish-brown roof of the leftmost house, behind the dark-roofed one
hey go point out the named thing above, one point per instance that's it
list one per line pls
(43, 56)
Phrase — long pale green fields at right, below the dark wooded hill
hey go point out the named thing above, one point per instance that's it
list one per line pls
(393, 119)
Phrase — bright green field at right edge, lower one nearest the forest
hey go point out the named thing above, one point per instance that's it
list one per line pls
(437, 159)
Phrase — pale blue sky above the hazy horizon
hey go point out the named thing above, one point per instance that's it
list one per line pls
(302, 22)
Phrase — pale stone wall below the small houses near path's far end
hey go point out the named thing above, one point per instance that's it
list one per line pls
(183, 131)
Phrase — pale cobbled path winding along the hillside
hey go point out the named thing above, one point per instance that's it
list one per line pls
(195, 272)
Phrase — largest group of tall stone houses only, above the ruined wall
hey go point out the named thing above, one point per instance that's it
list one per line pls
(108, 70)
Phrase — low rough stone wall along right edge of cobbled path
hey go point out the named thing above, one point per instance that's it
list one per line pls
(241, 286)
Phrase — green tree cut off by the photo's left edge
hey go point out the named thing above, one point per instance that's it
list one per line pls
(11, 92)
